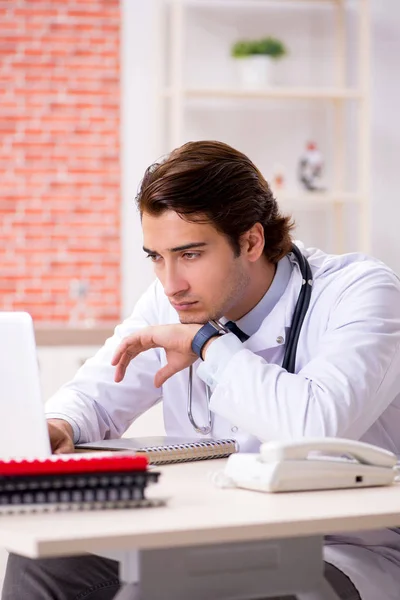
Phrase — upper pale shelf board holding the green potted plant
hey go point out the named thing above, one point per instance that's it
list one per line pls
(295, 93)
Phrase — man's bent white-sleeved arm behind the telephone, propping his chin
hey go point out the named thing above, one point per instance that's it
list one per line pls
(341, 392)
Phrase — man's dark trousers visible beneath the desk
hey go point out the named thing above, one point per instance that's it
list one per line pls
(90, 577)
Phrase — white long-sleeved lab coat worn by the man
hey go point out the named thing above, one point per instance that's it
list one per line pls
(347, 384)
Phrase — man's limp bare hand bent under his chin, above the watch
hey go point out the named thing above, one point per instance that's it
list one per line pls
(175, 339)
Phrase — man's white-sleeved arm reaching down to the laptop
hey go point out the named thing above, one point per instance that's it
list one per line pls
(92, 403)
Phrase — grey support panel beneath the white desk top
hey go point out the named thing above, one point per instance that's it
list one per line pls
(230, 571)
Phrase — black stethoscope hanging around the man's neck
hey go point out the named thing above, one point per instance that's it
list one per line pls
(289, 359)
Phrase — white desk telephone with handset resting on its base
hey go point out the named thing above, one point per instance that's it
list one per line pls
(289, 466)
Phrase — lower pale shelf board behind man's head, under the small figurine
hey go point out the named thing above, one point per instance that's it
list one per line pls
(315, 200)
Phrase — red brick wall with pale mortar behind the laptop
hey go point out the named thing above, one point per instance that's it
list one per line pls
(59, 159)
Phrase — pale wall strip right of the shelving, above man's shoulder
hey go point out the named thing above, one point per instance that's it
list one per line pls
(385, 126)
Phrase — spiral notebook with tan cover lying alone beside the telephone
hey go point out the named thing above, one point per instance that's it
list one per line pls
(165, 450)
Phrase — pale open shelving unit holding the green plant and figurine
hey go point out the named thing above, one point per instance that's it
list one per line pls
(176, 96)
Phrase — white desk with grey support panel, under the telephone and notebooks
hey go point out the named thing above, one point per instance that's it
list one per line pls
(269, 537)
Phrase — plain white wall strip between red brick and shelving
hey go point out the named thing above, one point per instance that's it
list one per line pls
(137, 139)
